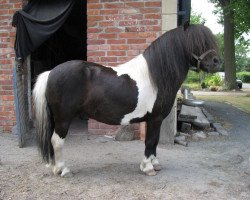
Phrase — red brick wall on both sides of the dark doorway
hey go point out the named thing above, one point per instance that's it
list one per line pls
(118, 30)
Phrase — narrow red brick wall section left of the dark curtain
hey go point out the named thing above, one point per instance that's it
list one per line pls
(7, 38)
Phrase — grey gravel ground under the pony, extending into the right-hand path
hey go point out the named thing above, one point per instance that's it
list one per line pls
(215, 168)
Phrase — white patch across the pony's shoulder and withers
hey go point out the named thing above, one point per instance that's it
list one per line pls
(137, 69)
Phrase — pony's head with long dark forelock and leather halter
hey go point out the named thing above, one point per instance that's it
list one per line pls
(202, 45)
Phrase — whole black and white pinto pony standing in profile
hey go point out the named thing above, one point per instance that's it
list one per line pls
(143, 89)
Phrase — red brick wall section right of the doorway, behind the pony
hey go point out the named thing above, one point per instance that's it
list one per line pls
(119, 30)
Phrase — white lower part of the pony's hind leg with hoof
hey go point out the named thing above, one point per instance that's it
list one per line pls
(59, 167)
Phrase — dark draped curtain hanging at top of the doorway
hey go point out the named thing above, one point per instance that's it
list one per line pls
(38, 21)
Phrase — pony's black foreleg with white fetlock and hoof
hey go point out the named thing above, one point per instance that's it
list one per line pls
(150, 163)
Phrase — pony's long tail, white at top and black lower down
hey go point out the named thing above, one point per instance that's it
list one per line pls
(44, 121)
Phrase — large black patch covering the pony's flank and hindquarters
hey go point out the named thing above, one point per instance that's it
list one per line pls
(96, 91)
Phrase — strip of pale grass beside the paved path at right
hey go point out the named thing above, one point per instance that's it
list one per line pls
(241, 102)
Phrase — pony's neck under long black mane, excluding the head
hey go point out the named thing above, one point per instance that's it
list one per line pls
(167, 59)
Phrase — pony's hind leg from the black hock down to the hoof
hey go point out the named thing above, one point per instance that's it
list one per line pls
(57, 141)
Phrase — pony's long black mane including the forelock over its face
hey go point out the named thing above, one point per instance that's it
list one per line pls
(168, 56)
